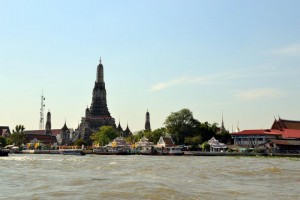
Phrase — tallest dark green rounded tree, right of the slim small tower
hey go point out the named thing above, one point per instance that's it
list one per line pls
(181, 124)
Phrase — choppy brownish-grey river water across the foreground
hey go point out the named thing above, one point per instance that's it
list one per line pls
(148, 177)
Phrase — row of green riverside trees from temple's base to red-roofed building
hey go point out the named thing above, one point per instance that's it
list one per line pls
(181, 126)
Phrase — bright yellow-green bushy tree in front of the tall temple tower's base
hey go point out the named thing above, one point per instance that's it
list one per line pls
(104, 135)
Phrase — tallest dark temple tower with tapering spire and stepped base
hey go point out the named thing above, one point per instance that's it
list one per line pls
(97, 114)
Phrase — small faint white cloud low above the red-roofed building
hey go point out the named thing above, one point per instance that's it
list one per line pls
(260, 93)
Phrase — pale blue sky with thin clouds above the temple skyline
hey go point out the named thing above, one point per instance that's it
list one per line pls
(239, 58)
